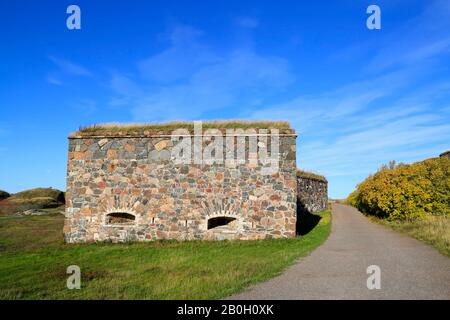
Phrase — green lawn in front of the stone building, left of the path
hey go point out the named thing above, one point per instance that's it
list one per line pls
(33, 262)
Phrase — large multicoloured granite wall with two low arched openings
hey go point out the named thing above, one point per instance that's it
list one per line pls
(127, 187)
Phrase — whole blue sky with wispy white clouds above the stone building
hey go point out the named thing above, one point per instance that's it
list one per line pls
(358, 98)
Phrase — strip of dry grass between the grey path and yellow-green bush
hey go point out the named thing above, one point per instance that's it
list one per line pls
(433, 230)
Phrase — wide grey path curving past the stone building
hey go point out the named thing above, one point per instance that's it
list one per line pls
(337, 269)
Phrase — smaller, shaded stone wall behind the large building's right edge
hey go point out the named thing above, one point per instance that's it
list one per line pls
(312, 194)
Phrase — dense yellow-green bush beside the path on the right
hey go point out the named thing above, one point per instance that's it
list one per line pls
(406, 192)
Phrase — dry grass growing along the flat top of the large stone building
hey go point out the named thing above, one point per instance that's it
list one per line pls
(170, 126)
